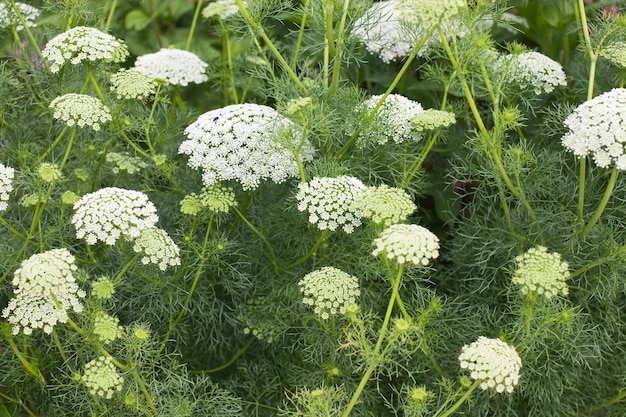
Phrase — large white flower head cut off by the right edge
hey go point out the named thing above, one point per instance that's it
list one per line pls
(598, 128)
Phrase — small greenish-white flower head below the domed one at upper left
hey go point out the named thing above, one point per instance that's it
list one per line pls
(80, 110)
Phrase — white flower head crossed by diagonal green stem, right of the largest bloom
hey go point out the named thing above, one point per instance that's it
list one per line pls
(392, 121)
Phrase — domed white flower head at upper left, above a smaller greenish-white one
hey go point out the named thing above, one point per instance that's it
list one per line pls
(81, 44)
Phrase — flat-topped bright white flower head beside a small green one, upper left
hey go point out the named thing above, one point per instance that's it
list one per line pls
(175, 66)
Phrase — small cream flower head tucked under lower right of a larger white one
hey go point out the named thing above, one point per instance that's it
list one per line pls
(158, 248)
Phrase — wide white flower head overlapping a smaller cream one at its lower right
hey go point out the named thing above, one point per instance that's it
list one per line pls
(111, 213)
